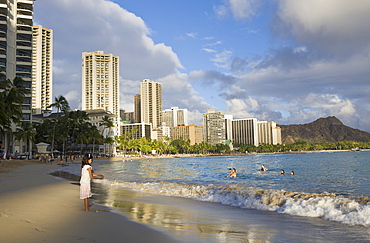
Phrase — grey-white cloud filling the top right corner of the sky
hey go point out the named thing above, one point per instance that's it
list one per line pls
(334, 26)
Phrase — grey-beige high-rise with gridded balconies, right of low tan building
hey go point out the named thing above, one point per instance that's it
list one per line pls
(214, 127)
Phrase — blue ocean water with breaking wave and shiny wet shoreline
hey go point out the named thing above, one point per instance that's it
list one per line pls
(329, 192)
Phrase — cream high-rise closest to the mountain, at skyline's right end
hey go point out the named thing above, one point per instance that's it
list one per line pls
(268, 133)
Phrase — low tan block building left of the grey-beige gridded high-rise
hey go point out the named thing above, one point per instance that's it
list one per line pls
(191, 132)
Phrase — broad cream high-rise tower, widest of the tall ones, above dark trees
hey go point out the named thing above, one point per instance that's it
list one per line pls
(100, 84)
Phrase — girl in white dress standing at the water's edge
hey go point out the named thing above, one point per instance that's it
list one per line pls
(87, 174)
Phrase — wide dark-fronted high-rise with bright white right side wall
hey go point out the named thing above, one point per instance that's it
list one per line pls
(245, 131)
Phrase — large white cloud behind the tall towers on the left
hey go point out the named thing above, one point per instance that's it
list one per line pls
(90, 25)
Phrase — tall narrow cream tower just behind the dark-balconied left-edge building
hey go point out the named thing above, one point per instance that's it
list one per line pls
(42, 62)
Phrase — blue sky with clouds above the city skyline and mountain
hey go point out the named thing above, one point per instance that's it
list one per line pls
(287, 61)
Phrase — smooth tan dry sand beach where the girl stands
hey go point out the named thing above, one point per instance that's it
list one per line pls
(36, 207)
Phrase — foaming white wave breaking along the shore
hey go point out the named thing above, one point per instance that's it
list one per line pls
(328, 206)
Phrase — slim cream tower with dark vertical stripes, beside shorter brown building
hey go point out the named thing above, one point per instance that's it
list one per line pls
(151, 102)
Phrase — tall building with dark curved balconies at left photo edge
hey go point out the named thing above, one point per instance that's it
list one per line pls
(16, 21)
